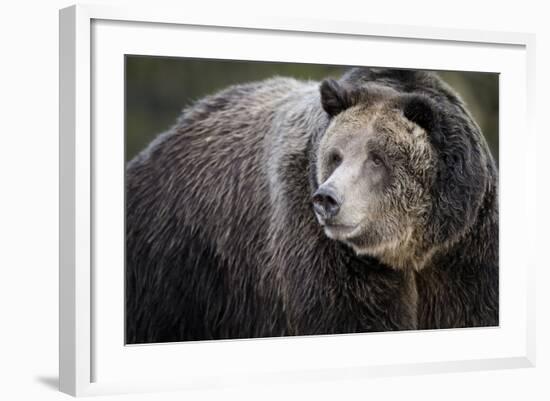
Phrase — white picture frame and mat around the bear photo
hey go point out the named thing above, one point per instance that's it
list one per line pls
(93, 358)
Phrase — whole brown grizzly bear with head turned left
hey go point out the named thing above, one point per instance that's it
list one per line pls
(285, 207)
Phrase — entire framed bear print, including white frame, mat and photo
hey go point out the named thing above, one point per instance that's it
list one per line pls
(269, 201)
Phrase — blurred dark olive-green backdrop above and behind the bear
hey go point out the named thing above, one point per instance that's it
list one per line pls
(159, 88)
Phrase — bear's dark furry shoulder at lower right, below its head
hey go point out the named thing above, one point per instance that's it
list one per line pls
(458, 286)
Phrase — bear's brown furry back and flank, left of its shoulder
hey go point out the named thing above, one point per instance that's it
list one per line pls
(198, 211)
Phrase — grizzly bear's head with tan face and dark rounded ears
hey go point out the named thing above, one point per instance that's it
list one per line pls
(398, 175)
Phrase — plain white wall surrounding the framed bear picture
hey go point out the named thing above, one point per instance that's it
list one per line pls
(29, 200)
